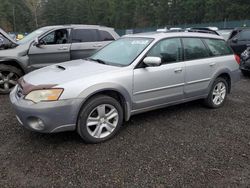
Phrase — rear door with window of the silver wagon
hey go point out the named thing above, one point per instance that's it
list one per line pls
(199, 67)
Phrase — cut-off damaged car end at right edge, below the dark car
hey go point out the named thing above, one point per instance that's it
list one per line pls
(245, 62)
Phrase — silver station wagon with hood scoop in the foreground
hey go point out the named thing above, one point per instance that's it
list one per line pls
(134, 74)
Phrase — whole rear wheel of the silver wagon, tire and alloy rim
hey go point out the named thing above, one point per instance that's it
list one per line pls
(221, 95)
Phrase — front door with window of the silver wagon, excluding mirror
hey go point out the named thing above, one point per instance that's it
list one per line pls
(155, 86)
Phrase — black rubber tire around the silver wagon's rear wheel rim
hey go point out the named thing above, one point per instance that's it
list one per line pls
(209, 100)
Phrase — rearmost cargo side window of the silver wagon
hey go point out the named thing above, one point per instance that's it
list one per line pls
(218, 47)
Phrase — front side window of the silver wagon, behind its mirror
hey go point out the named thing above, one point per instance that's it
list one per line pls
(169, 50)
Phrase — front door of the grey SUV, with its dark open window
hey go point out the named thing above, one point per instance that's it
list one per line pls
(53, 48)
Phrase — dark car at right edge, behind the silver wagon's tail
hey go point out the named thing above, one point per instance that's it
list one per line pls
(239, 39)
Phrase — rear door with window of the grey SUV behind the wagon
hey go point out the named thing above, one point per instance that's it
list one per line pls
(85, 42)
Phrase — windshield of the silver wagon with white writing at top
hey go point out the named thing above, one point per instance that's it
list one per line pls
(122, 52)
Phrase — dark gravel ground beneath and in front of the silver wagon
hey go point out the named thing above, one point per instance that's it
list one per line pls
(181, 146)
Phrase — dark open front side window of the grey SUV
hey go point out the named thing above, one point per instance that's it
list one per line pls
(55, 37)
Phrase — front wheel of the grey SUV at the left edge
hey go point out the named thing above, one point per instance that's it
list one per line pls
(8, 78)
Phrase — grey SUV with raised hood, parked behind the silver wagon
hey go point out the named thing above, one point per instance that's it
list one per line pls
(47, 46)
